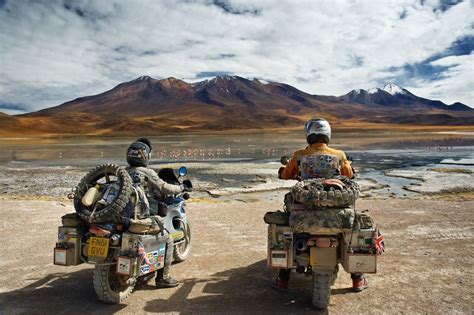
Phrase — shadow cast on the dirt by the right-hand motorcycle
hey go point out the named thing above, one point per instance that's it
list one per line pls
(239, 290)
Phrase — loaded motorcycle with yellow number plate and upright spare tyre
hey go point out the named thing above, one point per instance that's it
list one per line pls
(105, 231)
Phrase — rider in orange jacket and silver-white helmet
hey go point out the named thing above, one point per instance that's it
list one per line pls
(318, 161)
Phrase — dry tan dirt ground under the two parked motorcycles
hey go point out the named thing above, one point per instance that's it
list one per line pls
(426, 269)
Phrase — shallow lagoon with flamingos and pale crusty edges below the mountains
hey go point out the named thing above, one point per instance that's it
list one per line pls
(246, 162)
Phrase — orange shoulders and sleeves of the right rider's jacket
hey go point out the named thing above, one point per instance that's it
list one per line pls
(293, 171)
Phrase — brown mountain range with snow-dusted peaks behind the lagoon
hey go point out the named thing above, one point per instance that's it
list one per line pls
(147, 105)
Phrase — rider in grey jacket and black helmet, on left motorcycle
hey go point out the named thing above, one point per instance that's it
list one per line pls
(138, 157)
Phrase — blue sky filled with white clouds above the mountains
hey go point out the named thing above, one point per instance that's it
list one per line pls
(53, 51)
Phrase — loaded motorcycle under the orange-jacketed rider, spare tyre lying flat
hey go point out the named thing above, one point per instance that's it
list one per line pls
(321, 229)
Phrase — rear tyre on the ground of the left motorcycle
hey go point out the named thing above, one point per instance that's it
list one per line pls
(110, 287)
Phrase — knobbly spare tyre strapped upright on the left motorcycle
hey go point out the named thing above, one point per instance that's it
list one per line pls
(110, 212)
